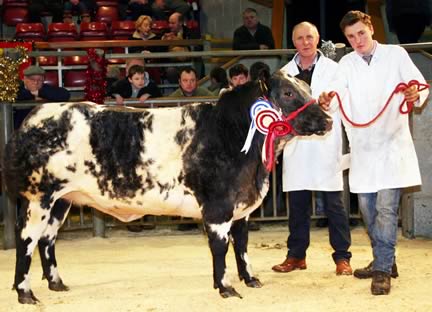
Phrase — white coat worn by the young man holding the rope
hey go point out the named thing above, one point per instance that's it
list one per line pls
(382, 154)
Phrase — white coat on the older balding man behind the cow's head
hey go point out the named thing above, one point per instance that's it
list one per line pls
(314, 162)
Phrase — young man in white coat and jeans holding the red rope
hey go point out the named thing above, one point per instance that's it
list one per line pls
(383, 158)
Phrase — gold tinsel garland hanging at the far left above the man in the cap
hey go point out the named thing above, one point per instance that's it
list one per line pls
(9, 73)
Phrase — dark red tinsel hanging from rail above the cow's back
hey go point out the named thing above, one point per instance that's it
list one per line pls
(95, 86)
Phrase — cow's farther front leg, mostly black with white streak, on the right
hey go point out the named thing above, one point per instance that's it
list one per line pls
(239, 233)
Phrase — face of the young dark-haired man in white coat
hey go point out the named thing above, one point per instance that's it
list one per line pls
(360, 38)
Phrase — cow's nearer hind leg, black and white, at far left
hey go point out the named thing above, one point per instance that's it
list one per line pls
(31, 223)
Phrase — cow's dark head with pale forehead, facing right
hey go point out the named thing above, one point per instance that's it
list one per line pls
(290, 94)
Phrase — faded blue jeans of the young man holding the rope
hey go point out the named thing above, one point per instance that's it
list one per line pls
(380, 214)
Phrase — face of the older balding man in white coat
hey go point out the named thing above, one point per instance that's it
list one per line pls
(305, 39)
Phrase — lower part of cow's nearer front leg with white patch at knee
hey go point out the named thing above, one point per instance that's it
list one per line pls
(218, 242)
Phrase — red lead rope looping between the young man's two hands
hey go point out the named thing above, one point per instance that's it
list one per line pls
(399, 88)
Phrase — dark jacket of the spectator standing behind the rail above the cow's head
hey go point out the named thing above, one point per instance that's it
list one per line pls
(243, 40)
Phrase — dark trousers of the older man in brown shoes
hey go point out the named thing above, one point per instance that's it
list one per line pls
(300, 206)
